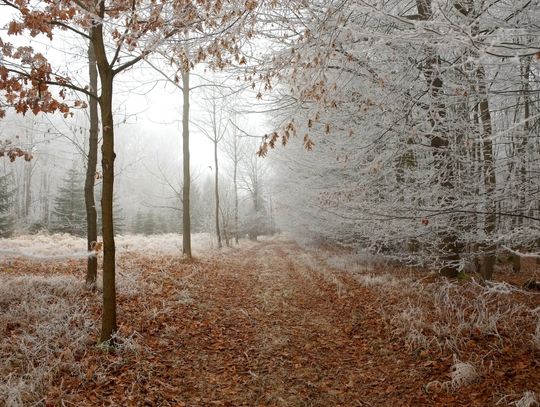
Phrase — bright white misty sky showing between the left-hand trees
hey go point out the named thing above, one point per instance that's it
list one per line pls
(145, 105)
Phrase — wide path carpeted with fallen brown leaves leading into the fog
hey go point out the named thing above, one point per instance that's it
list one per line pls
(263, 325)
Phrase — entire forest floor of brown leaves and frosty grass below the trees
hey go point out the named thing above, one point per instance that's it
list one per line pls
(271, 324)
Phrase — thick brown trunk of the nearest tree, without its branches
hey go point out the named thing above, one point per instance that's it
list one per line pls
(106, 74)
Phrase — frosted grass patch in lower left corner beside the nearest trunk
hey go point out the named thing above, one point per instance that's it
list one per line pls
(44, 323)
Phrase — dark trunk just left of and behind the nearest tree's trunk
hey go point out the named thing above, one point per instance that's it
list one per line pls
(91, 213)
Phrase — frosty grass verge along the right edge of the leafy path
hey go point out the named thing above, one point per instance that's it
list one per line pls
(479, 324)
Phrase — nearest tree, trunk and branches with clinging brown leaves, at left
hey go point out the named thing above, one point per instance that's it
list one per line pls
(122, 34)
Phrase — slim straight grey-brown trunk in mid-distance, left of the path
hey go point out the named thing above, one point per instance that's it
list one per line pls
(186, 218)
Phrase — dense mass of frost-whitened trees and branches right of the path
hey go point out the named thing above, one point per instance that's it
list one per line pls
(410, 112)
